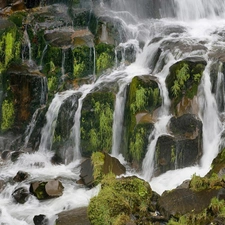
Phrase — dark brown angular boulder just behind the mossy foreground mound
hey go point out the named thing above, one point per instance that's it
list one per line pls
(109, 164)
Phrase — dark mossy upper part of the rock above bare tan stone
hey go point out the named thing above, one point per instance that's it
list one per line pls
(184, 78)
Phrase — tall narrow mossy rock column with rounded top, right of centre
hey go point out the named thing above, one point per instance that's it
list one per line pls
(143, 96)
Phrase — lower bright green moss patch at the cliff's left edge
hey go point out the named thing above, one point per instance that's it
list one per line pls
(8, 115)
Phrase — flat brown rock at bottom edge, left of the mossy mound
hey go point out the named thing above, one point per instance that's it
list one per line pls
(75, 216)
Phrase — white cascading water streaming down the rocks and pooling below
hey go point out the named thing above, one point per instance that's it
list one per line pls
(190, 22)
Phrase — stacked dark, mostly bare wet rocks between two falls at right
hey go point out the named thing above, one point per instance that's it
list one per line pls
(182, 148)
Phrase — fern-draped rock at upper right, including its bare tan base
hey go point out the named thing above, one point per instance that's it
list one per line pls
(182, 84)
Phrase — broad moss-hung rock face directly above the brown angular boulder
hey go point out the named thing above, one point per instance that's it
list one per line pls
(96, 122)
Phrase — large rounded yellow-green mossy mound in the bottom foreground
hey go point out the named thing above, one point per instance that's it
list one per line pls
(118, 199)
